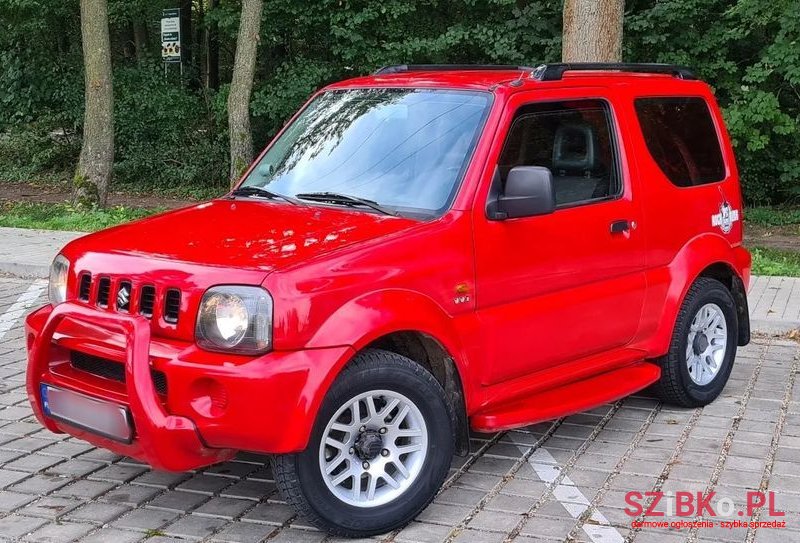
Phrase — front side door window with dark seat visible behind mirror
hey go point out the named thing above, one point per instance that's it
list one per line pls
(573, 140)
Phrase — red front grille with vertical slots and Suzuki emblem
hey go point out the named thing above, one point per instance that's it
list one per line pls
(128, 297)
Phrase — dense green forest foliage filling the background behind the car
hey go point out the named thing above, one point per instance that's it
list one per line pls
(171, 134)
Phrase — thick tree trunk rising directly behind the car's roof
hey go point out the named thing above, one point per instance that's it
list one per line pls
(592, 30)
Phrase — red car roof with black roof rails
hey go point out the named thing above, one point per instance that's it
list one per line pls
(490, 77)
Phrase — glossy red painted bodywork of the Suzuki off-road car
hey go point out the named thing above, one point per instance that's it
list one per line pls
(554, 302)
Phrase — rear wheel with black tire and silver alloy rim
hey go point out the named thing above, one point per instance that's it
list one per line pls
(699, 382)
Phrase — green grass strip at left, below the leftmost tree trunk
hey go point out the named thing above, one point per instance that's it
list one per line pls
(66, 217)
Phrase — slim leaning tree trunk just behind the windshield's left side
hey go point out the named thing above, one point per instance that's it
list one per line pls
(241, 140)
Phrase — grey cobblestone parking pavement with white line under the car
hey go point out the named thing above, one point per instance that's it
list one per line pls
(561, 481)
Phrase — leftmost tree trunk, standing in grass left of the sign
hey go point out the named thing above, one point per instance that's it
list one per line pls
(97, 153)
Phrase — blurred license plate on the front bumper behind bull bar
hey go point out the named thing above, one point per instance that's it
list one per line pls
(97, 416)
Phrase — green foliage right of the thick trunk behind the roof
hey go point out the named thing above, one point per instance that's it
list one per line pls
(749, 51)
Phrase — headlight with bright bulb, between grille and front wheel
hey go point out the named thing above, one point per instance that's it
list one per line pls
(235, 318)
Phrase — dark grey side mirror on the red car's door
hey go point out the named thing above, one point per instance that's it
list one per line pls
(528, 192)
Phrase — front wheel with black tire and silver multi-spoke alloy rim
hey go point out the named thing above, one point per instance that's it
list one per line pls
(427, 429)
